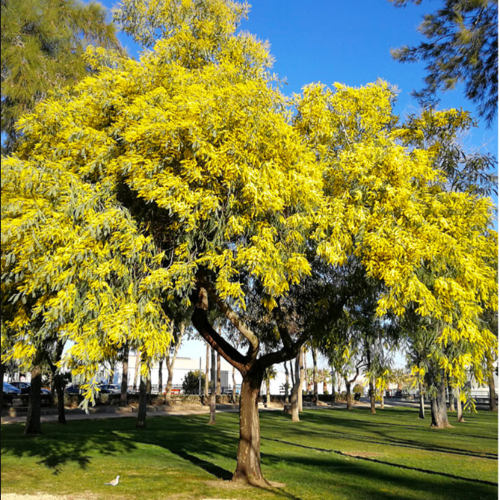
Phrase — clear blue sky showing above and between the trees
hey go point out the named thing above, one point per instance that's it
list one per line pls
(346, 41)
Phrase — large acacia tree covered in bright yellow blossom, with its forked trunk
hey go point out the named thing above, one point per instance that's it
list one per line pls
(196, 150)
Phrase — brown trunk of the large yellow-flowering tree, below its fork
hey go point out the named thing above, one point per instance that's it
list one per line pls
(249, 468)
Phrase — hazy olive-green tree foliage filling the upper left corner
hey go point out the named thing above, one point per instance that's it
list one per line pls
(42, 46)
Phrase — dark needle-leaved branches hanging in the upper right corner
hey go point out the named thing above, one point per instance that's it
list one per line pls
(462, 46)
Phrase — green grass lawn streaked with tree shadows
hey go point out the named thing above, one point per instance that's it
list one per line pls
(330, 455)
